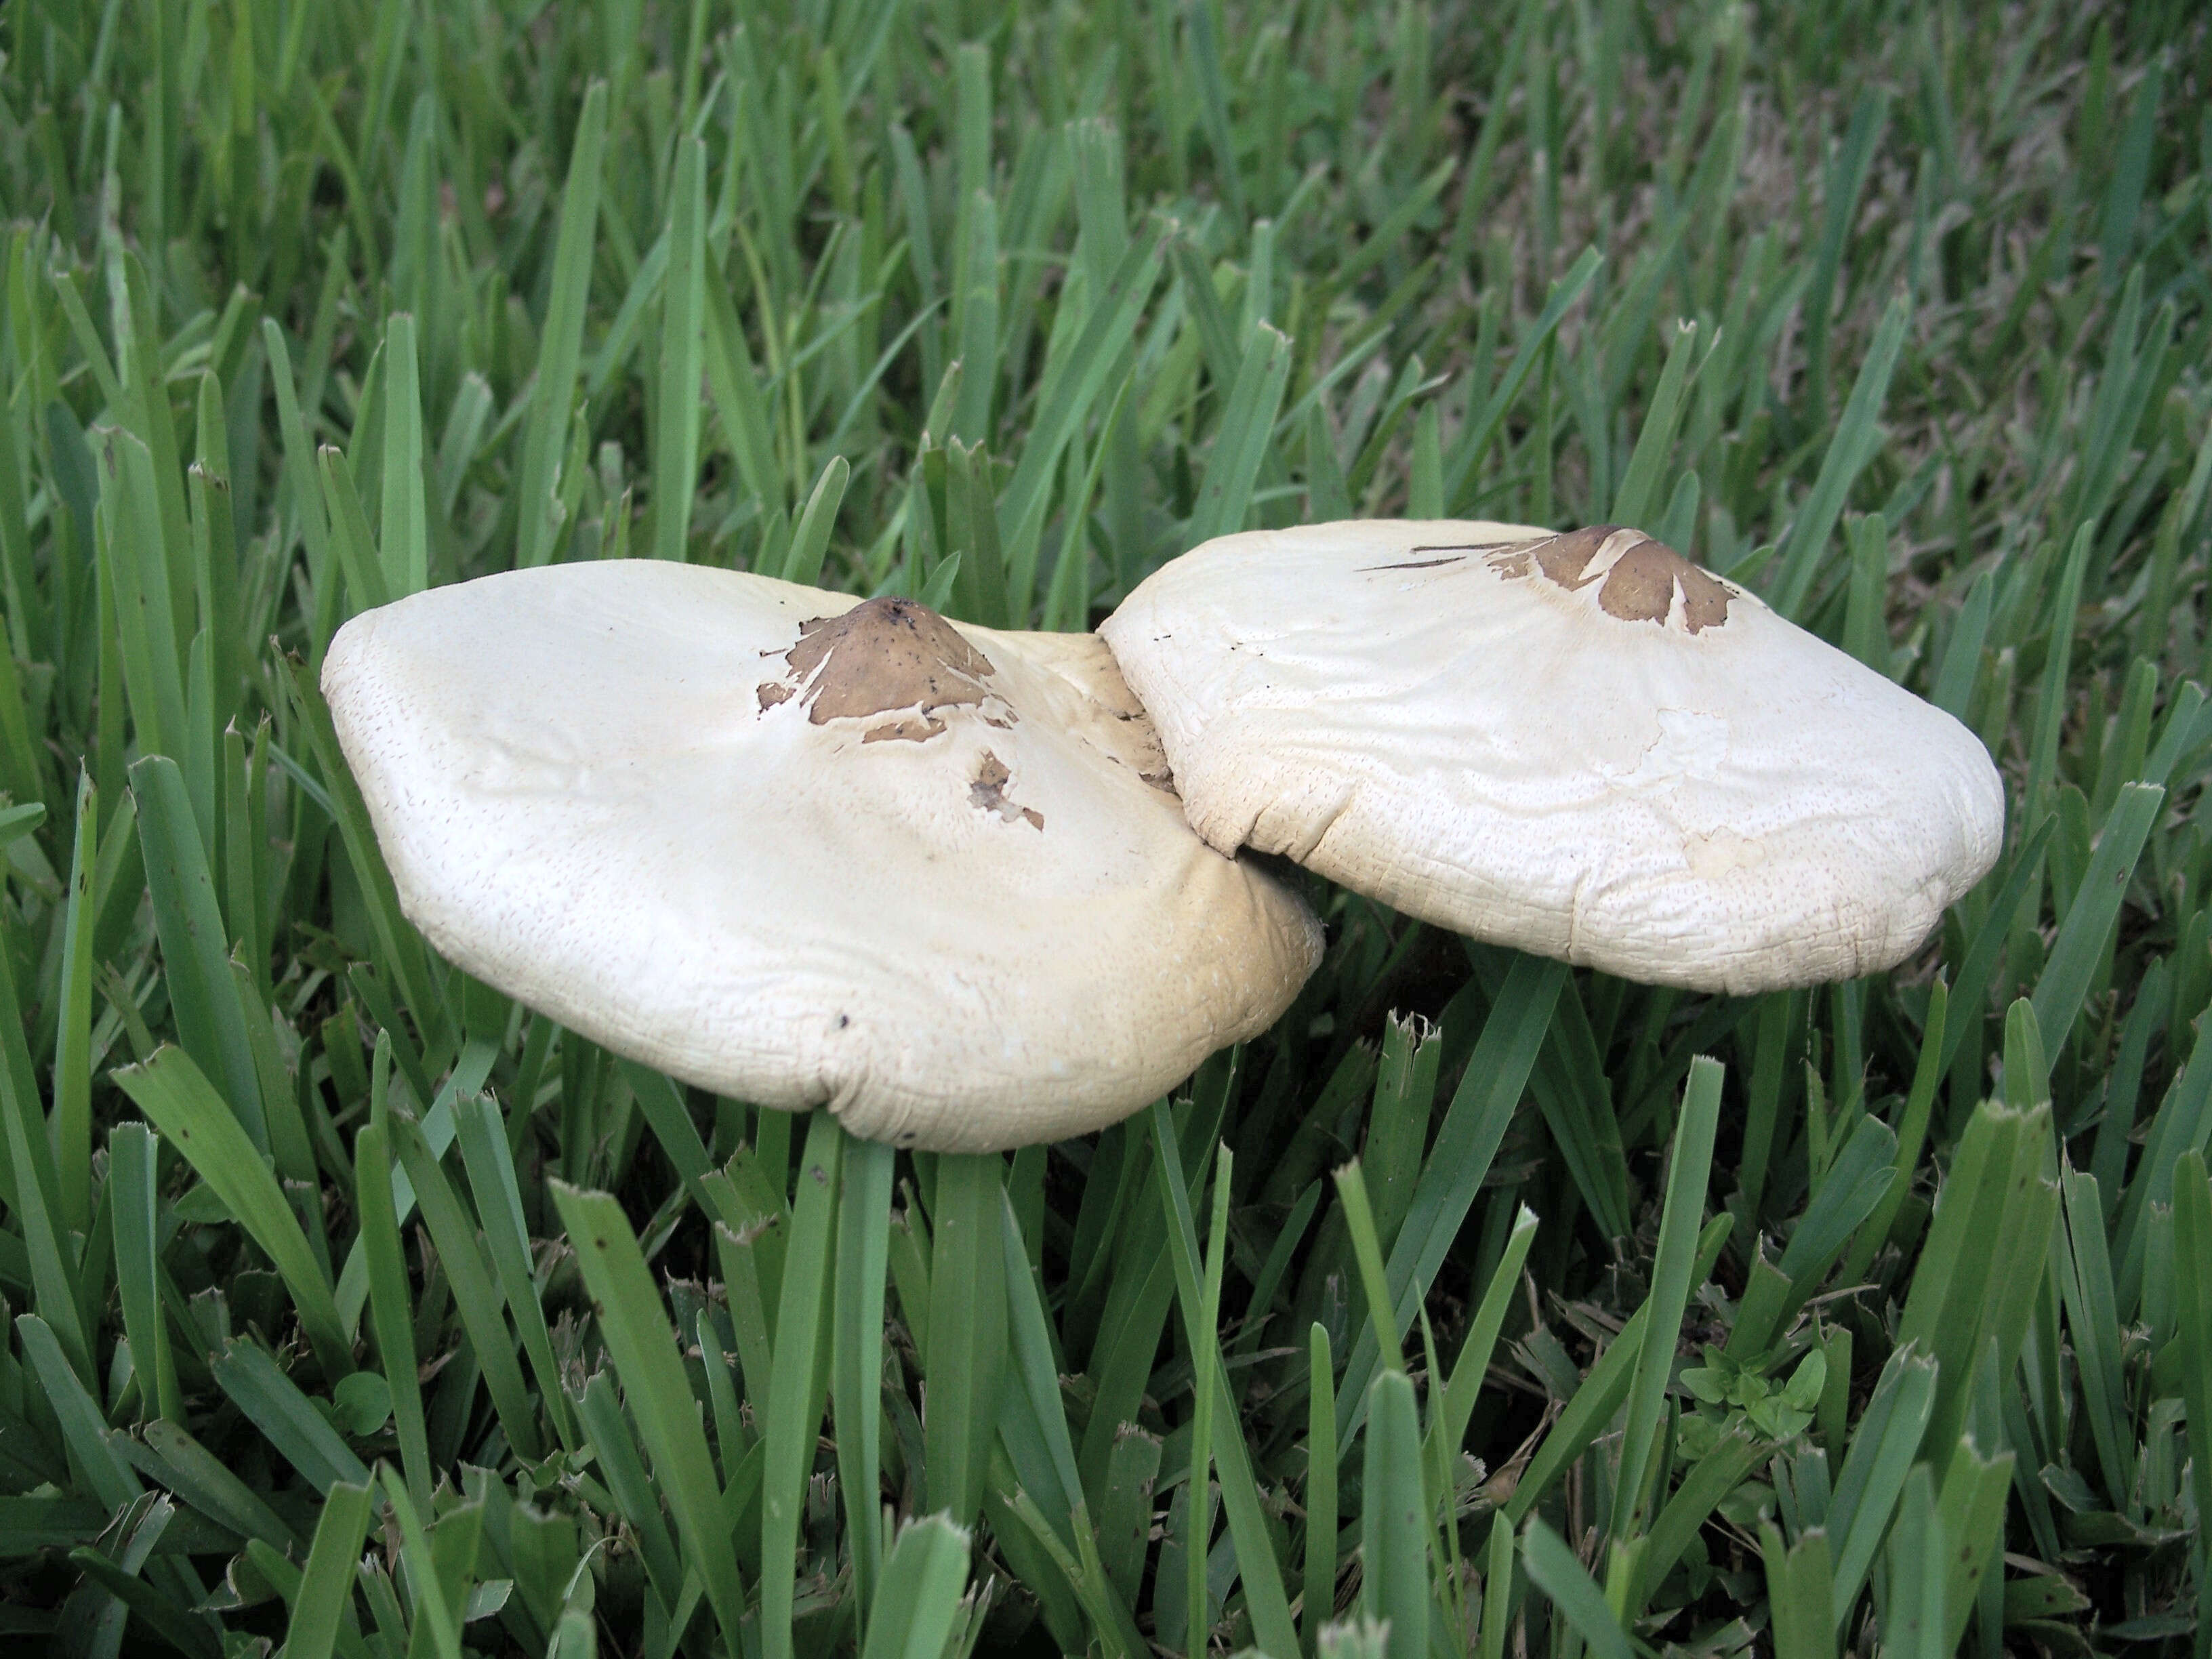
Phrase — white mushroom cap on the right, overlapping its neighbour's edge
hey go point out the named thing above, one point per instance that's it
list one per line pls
(1576, 744)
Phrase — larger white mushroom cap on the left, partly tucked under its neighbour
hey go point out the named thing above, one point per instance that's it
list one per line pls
(804, 851)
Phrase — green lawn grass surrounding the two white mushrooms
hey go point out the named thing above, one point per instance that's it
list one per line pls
(362, 1311)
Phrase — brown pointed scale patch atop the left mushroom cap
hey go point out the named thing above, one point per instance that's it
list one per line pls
(879, 658)
